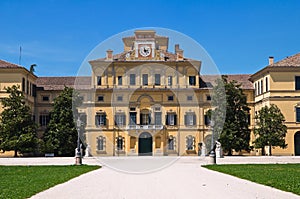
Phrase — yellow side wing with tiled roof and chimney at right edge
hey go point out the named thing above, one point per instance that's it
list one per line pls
(279, 83)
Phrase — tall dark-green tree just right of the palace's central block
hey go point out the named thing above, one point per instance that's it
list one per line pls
(231, 123)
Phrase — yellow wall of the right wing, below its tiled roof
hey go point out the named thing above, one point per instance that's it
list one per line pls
(282, 93)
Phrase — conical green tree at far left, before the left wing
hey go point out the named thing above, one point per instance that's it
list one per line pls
(17, 128)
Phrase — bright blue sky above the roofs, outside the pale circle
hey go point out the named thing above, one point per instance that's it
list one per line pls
(57, 35)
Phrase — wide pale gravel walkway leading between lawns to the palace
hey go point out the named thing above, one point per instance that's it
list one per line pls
(184, 178)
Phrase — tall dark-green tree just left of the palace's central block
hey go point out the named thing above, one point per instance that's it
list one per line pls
(61, 134)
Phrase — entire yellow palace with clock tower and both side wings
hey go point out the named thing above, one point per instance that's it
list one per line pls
(150, 101)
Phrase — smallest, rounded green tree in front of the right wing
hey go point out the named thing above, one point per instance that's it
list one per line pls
(270, 130)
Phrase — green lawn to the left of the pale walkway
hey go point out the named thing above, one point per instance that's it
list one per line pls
(25, 181)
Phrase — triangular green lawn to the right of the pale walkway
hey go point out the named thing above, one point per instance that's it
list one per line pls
(281, 176)
